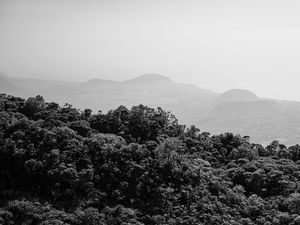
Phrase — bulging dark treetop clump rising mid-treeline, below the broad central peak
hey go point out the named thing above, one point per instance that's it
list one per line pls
(139, 124)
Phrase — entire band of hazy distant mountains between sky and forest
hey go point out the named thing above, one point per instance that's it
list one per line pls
(238, 111)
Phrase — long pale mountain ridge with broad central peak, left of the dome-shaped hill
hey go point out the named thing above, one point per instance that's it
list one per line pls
(187, 101)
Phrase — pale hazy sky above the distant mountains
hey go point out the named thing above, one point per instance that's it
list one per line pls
(216, 44)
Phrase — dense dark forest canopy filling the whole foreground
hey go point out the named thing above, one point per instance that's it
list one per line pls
(60, 165)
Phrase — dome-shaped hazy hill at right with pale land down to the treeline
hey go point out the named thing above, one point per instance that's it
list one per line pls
(264, 120)
